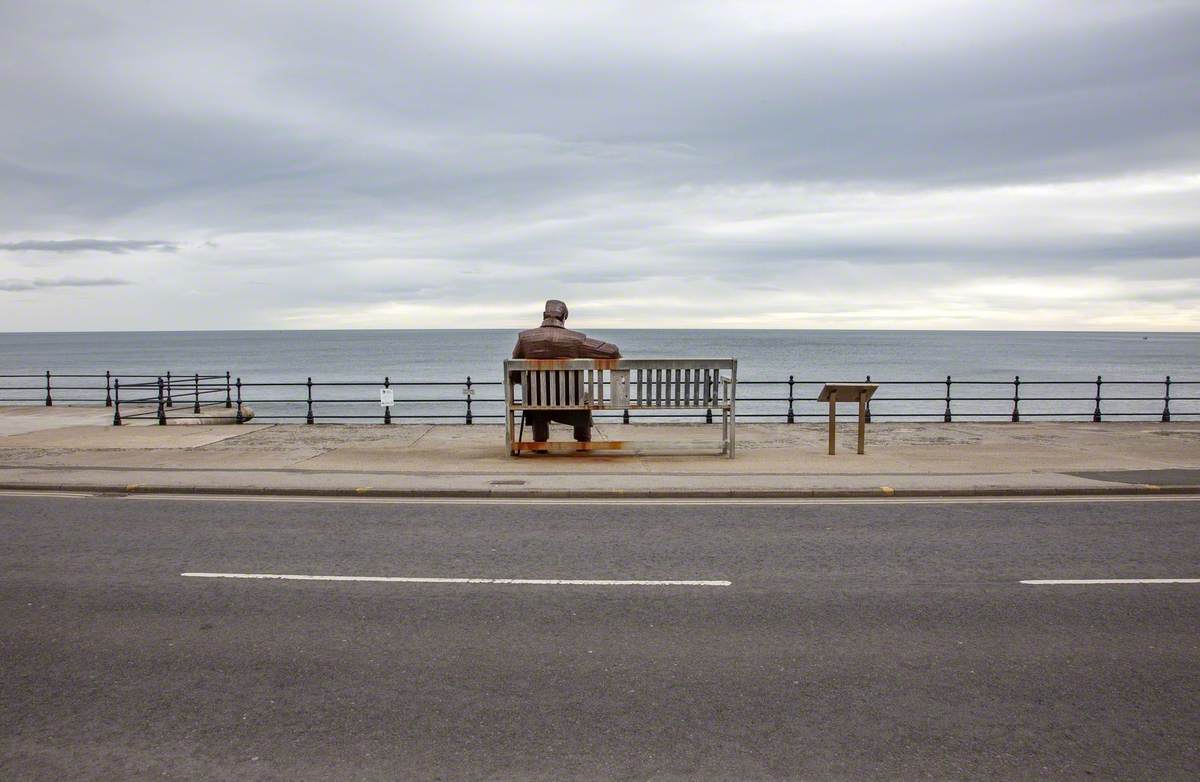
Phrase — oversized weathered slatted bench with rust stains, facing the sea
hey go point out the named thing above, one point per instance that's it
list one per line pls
(620, 384)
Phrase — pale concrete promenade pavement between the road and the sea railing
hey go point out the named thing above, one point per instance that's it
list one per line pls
(76, 448)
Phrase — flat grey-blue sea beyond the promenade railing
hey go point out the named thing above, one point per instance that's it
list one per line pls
(429, 370)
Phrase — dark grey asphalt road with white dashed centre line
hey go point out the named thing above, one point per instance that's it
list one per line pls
(869, 641)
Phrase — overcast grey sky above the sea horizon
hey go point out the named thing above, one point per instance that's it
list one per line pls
(399, 165)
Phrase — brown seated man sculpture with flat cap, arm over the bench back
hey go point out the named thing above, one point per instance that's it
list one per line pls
(554, 340)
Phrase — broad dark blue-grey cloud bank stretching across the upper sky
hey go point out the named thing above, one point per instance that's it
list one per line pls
(355, 119)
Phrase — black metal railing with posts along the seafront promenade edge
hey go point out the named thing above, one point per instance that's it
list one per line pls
(794, 400)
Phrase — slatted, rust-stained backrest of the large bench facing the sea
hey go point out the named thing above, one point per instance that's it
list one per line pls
(620, 384)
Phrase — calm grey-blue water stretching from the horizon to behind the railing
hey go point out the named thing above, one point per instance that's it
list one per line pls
(287, 357)
